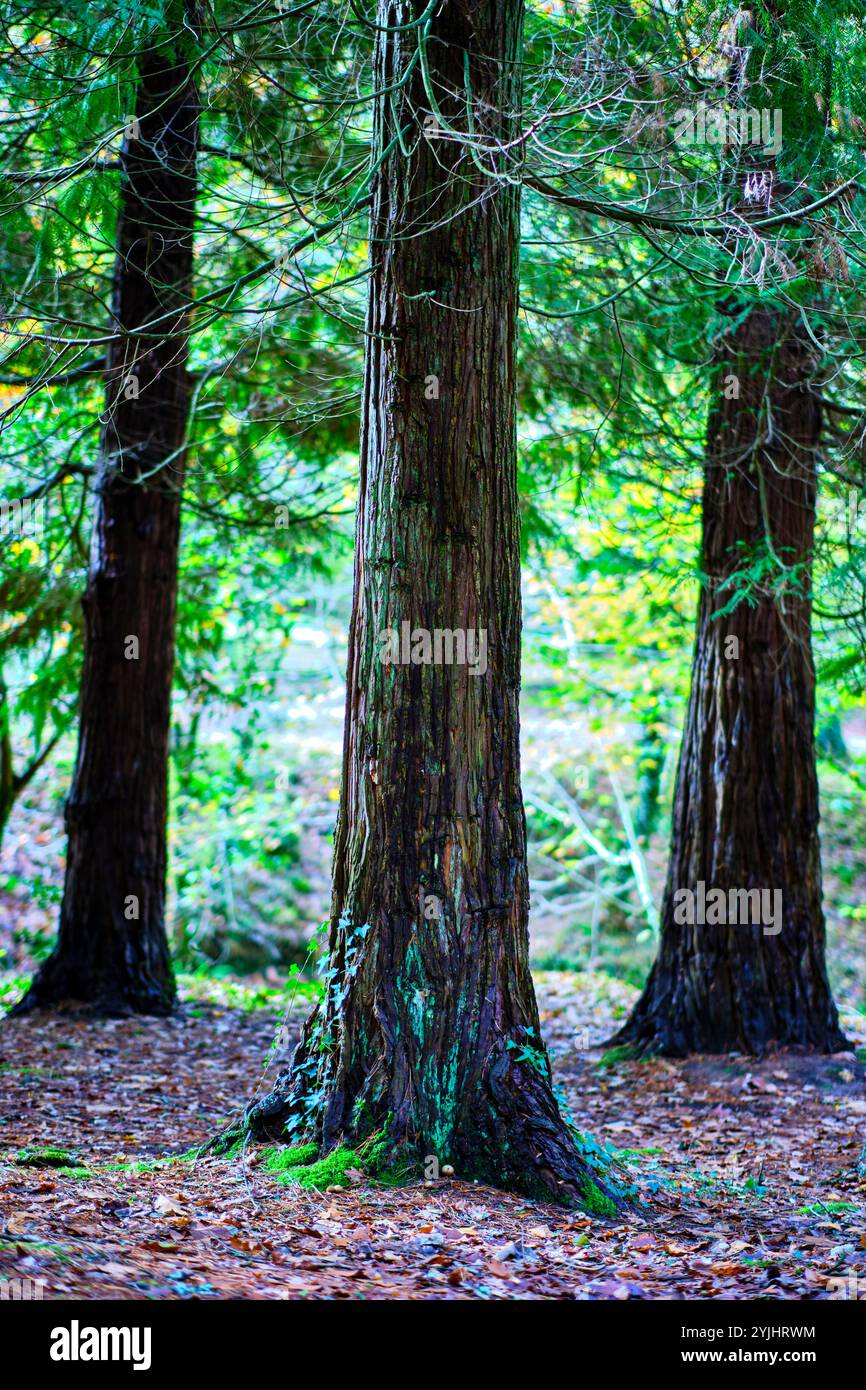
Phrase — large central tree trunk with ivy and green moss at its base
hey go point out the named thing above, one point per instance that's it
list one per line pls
(430, 1031)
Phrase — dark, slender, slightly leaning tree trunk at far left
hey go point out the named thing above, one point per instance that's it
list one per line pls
(112, 953)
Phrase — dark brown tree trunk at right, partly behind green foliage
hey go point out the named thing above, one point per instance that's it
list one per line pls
(746, 811)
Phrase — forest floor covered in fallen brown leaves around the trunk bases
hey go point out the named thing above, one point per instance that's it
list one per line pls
(747, 1172)
